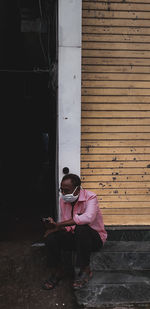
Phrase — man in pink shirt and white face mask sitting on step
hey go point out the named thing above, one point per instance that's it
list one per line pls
(80, 229)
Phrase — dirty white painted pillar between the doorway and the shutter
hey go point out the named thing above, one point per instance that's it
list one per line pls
(69, 85)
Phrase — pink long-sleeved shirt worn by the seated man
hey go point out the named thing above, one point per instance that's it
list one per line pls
(86, 211)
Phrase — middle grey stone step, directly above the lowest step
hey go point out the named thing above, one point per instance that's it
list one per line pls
(122, 255)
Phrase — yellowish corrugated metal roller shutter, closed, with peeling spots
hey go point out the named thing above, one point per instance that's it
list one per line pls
(115, 149)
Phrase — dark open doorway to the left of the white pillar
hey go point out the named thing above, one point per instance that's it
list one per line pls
(28, 66)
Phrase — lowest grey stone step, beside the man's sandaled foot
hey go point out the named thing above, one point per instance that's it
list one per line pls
(108, 288)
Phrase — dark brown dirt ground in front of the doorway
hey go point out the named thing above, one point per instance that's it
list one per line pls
(22, 271)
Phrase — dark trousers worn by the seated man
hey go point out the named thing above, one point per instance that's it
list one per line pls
(84, 240)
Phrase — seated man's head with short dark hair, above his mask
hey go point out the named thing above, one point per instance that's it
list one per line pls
(69, 183)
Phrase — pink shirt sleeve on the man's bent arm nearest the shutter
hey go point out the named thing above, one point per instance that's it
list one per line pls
(90, 212)
